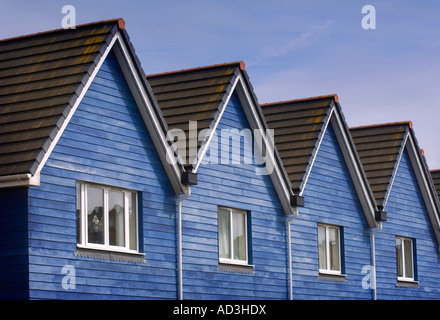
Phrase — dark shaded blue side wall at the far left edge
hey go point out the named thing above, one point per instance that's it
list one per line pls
(14, 279)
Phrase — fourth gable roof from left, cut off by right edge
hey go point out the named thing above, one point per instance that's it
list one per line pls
(380, 147)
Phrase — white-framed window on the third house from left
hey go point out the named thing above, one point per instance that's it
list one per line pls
(329, 249)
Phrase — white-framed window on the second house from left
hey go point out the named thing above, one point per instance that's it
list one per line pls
(232, 236)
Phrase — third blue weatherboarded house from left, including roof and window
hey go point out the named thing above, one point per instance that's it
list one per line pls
(331, 244)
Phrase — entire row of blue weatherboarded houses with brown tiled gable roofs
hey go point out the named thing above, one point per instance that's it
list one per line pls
(179, 185)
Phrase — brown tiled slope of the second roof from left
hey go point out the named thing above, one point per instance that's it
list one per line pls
(196, 94)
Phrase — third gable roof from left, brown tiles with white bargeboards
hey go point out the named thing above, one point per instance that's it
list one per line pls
(299, 127)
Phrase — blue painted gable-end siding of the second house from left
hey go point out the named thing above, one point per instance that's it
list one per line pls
(236, 186)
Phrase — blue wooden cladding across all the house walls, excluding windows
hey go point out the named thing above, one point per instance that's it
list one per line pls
(107, 143)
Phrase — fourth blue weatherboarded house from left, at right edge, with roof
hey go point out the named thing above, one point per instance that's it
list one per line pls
(407, 243)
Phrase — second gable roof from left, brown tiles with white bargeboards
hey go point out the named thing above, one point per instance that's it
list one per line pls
(202, 94)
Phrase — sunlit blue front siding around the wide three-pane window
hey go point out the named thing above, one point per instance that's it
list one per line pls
(106, 142)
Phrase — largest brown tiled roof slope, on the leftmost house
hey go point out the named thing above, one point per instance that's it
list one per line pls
(41, 77)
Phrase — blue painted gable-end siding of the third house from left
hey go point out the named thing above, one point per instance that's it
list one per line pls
(330, 198)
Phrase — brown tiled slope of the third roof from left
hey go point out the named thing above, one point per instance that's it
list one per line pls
(298, 126)
